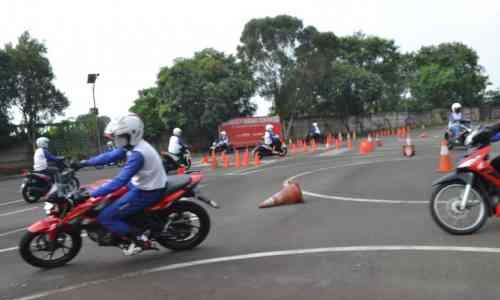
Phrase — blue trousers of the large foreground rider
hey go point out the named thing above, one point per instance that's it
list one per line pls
(135, 200)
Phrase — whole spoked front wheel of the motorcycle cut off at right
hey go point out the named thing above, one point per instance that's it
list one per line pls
(446, 211)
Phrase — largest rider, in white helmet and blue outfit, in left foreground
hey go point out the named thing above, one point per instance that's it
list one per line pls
(143, 173)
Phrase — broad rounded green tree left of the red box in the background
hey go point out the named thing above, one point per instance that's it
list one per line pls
(197, 94)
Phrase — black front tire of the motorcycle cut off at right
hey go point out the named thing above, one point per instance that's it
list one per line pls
(479, 222)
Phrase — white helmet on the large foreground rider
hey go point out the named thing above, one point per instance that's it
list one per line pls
(127, 130)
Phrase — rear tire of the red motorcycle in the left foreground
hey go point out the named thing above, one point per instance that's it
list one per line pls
(204, 227)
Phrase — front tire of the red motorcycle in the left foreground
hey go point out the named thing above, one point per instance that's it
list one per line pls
(27, 254)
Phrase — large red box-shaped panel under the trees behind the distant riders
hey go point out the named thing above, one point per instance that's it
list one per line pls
(247, 132)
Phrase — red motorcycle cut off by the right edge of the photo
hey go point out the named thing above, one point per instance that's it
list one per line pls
(463, 200)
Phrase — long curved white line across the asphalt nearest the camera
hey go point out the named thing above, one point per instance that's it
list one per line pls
(258, 255)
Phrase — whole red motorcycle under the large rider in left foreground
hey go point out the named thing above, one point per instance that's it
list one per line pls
(173, 222)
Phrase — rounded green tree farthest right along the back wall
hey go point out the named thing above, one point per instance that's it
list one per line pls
(447, 73)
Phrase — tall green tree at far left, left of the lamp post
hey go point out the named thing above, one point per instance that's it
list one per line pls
(35, 95)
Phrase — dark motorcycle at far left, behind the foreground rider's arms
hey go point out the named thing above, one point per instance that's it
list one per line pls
(35, 185)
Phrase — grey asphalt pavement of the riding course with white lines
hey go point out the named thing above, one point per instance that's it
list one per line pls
(364, 232)
